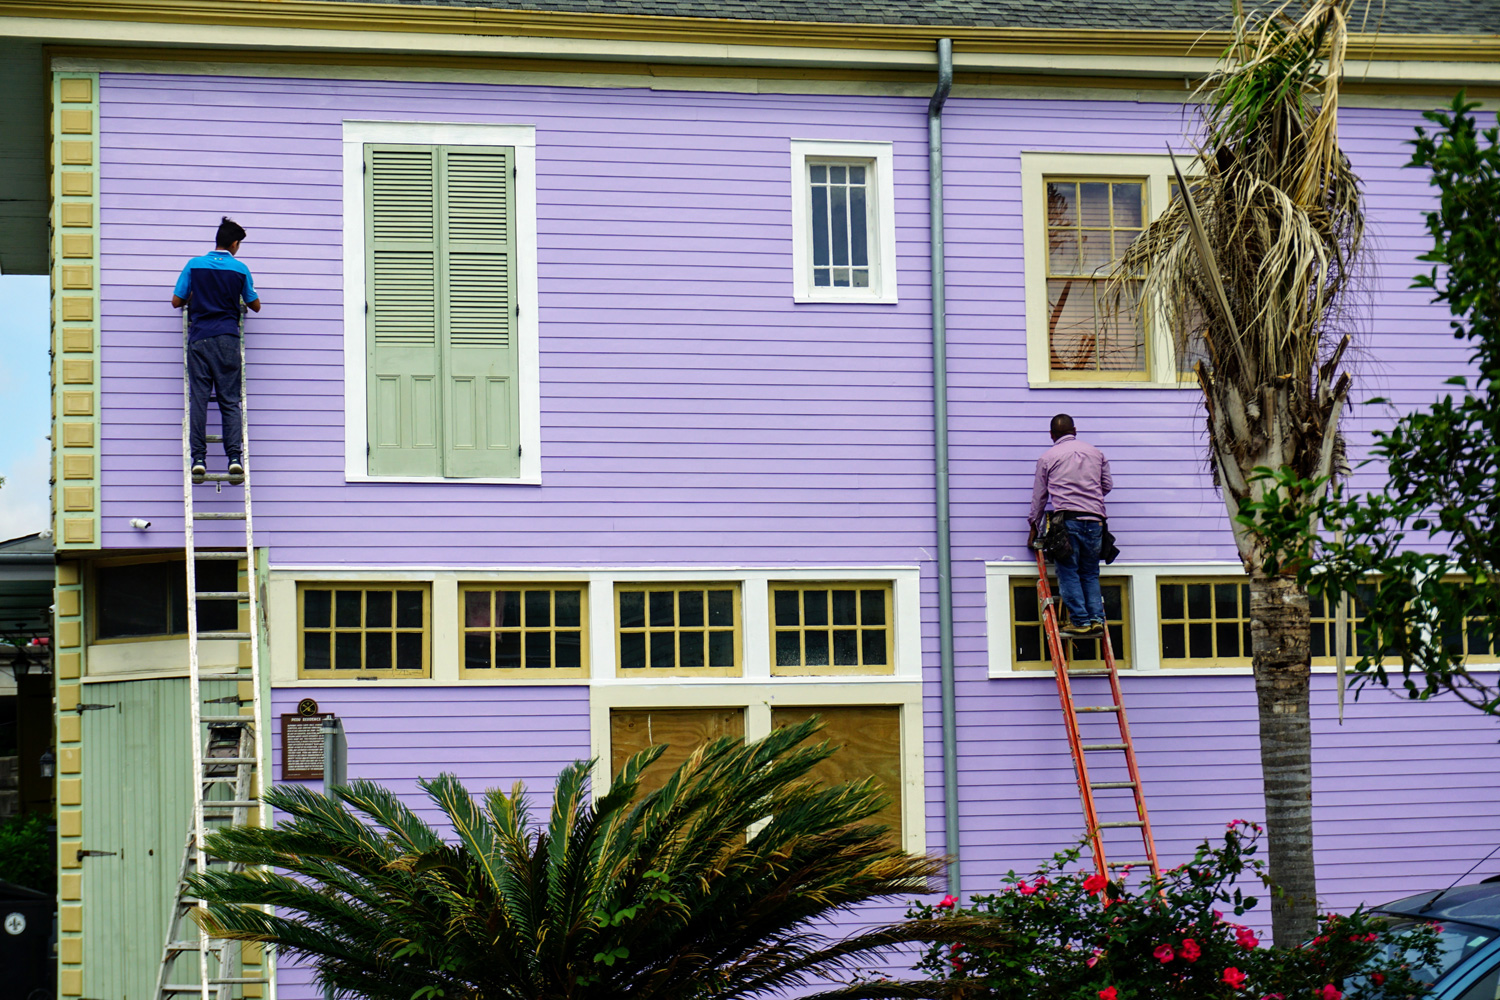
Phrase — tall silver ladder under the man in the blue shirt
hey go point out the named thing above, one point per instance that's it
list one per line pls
(226, 735)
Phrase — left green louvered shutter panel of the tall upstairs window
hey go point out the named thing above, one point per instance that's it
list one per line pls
(404, 310)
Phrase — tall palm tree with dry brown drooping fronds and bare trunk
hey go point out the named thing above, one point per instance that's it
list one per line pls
(1253, 269)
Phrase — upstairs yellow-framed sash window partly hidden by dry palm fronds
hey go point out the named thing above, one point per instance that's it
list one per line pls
(1090, 226)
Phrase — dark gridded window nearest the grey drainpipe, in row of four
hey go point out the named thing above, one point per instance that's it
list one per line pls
(832, 629)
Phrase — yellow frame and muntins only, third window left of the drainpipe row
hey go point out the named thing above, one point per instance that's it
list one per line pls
(625, 635)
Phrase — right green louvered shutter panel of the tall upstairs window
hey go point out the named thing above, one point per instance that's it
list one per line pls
(481, 407)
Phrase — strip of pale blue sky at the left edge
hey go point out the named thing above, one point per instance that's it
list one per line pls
(25, 388)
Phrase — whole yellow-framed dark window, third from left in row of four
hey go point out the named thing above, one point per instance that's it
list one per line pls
(683, 629)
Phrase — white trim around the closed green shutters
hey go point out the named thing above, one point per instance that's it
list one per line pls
(356, 419)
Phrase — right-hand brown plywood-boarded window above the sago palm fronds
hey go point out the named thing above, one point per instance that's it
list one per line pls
(869, 740)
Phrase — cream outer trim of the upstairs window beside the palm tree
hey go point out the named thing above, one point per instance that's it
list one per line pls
(1034, 242)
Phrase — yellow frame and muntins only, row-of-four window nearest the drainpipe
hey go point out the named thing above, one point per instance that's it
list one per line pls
(782, 636)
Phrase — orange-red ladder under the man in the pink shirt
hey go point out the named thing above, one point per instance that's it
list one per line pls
(1070, 713)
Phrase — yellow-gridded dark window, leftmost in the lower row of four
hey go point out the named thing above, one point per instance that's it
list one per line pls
(367, 630)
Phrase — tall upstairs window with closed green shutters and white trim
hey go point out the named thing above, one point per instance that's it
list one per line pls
(440, 314)
